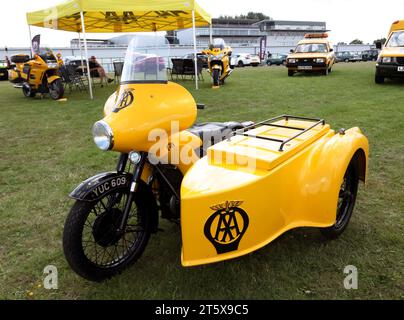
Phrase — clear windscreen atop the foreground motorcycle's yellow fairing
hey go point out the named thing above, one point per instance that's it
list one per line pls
(146, 59)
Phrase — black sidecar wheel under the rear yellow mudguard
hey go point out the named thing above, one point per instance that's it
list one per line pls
(346, 201)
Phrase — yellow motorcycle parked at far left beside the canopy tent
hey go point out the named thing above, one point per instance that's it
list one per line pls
(37, 75)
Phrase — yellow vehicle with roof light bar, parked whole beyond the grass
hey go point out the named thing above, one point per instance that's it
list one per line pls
(312, 54)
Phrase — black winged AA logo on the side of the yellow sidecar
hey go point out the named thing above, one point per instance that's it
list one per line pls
(225, 228)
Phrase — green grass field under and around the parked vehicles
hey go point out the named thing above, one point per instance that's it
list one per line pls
(47, 149)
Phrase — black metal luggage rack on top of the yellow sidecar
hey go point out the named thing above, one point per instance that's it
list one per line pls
(271, 123)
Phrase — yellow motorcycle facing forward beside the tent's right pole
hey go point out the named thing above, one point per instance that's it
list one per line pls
(219, 59)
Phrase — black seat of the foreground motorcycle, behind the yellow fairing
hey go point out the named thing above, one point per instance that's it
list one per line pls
(214, 132)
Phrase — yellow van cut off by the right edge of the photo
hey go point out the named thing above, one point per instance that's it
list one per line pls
(390, 63)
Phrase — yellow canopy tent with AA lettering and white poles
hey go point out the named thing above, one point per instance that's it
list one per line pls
(104, 16)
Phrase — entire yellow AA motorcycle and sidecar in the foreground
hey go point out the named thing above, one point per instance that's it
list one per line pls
(232, 187)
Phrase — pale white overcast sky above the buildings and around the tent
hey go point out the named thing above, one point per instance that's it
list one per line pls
(347, 19)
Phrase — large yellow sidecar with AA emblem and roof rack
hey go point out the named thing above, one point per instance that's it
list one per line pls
(280, 174)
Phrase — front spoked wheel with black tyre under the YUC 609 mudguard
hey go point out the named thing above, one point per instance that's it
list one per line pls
(93, 246)
